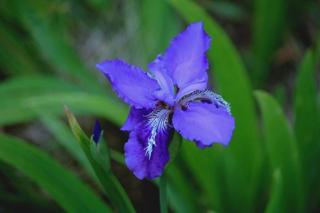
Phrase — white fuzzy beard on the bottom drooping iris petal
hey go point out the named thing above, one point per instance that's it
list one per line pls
(158, 121)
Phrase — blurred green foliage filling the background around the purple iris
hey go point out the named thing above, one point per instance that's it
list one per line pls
(48, 52)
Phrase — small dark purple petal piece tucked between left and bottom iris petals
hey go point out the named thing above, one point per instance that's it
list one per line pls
(135, 117)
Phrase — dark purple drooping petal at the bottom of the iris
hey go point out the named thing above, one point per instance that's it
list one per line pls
(138, 160)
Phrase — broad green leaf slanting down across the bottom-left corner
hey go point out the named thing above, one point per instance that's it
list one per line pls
(62, 185)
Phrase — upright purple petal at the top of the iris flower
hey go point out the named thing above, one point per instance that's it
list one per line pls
(185, 61)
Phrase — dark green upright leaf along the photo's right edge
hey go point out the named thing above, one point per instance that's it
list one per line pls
(306, 122)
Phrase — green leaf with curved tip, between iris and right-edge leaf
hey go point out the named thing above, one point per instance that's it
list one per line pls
(282, 151)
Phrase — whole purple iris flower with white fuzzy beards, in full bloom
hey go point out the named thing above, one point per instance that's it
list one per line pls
(173, 95)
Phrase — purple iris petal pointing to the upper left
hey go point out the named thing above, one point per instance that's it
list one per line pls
(130, 83)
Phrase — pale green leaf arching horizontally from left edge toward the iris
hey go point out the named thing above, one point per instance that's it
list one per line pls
(25, 109)
